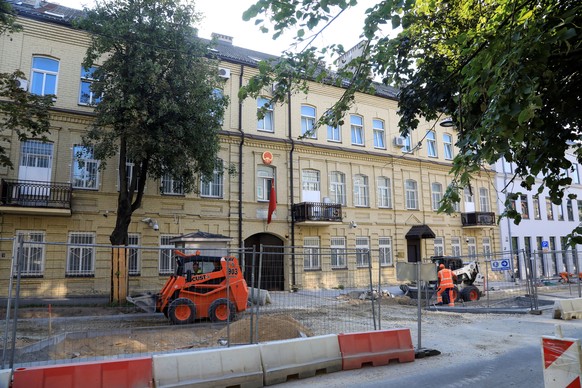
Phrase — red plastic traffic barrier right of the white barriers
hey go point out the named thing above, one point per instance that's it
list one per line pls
(375, 348)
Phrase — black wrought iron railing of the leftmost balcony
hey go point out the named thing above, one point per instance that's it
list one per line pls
(35, 194)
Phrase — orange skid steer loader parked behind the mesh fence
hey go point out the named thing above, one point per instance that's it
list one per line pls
(203, 287)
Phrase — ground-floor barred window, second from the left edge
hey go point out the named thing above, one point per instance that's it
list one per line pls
(81, 255)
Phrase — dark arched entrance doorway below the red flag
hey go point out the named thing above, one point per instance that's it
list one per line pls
(272, 274)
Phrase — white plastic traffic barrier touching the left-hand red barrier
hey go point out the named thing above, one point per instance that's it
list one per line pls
(237, 366)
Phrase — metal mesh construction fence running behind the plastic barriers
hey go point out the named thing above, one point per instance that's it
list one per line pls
(293, 292)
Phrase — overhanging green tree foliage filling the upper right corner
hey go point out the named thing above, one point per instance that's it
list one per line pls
(507, 72)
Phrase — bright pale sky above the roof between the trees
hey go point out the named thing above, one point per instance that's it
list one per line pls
(225, 17)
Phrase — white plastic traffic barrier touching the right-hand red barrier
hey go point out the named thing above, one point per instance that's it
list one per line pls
(300, 357)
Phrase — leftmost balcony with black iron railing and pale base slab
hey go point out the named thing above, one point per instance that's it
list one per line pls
(35, 198)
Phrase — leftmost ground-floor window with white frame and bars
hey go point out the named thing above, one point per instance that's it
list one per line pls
(33, 252)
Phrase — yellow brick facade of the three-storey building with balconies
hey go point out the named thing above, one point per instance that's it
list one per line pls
(356, 188)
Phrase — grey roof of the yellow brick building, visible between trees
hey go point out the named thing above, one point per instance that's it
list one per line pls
(223, 50)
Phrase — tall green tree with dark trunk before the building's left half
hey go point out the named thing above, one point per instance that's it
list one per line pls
(159, 107)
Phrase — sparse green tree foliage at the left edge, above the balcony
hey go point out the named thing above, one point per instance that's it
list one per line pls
(22, 113)
